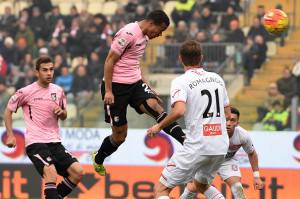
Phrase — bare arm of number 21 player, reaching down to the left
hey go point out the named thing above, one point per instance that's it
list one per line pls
(177, 112)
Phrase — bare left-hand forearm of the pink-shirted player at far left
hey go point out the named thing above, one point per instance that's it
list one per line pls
(11, 139)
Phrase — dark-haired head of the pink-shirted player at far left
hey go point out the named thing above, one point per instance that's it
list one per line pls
(44, 70)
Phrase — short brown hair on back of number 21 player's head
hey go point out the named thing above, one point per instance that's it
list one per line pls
(191, 53)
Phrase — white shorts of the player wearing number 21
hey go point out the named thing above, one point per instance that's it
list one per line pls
(183, 167)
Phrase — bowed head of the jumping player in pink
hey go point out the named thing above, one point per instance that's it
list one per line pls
(157, 22)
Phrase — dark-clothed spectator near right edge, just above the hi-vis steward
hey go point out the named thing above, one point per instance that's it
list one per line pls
(287, 85)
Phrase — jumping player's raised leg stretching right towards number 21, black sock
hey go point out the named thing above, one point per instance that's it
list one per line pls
(144, 100)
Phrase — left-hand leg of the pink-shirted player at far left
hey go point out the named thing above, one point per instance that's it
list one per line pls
(41, 157)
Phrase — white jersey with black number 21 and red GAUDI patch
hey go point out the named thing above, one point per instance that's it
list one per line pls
(205, 96)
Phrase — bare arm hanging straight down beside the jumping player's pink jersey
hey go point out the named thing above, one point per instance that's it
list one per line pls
(110, 61)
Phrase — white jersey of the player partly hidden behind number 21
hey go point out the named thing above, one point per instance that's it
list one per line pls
(240, 138)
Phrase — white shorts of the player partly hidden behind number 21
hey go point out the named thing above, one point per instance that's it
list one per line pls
(229, 168)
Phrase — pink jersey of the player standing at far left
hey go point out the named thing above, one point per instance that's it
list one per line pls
(38, 104)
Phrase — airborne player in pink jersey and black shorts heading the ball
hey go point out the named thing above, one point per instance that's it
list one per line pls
(124, 85)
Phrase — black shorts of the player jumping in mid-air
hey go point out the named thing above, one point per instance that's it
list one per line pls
(133, 94)
